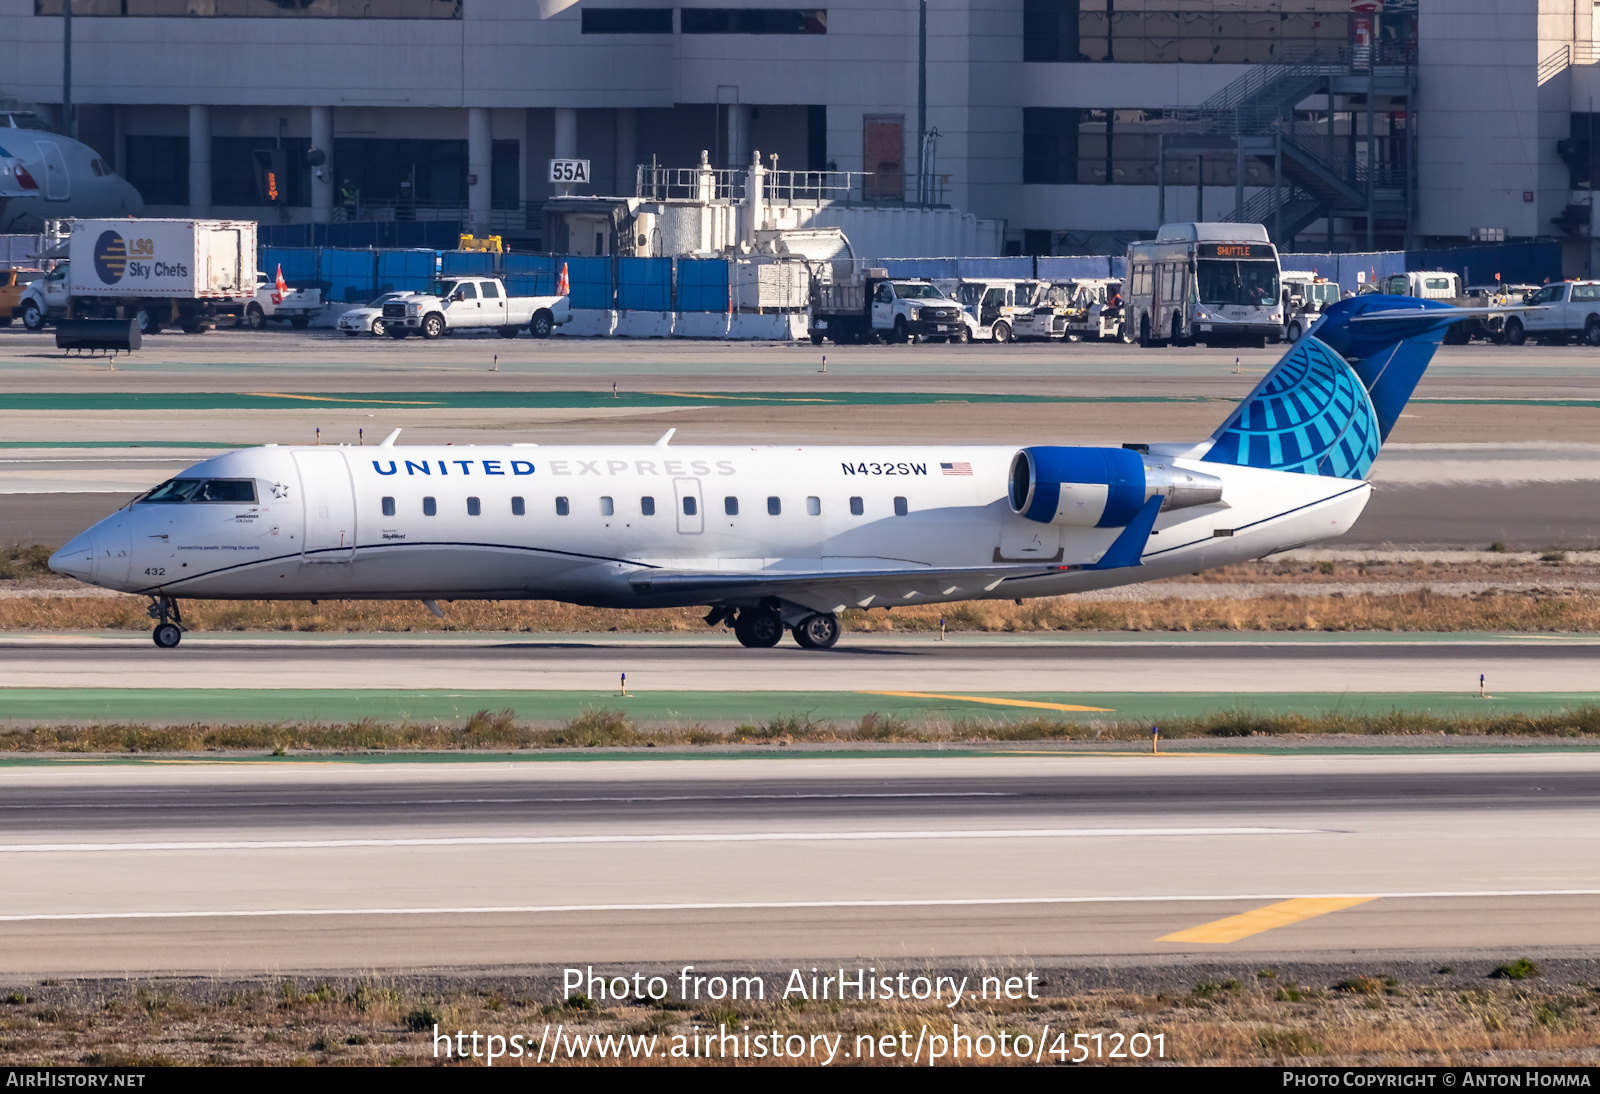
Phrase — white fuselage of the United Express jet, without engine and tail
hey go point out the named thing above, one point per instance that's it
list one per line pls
(342, 522)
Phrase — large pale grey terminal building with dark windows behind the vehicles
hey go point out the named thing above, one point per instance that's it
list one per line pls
(1078, 124)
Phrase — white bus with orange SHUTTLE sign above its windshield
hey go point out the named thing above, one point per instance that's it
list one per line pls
(1215, 284)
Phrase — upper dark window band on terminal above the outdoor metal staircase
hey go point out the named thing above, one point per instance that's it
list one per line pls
(1202, 31)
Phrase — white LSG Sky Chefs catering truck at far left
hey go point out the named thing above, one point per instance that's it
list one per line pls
(161, 273)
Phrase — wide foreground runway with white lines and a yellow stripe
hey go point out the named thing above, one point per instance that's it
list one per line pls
(898, 861)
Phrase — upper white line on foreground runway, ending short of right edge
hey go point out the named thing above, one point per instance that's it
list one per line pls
(689, 837)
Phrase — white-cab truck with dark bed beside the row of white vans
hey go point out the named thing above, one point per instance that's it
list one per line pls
(878, 308)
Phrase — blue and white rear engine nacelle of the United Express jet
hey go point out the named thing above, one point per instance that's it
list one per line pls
(1102, 487)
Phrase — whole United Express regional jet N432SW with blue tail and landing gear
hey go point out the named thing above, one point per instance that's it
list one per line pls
(778, 538)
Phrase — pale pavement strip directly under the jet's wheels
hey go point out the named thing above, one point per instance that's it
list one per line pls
(716, 663)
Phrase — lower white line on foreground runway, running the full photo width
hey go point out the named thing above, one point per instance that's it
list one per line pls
(780, 906)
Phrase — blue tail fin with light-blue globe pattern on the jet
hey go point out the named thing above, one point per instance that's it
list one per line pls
(1329, 405)
